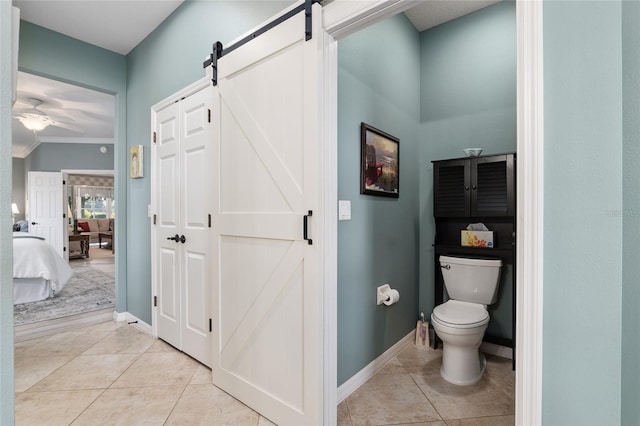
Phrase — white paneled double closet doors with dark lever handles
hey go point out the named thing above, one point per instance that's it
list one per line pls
(182, 164)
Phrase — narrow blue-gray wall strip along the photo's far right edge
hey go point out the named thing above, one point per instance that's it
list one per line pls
(631, 217)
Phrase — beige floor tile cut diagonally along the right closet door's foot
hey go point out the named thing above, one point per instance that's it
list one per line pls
(158, 369)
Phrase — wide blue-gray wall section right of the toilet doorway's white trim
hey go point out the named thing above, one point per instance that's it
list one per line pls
(583, 209)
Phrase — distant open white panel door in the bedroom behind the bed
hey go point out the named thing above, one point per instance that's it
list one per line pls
(46, 214)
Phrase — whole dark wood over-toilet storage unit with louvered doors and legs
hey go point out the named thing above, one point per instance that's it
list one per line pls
(469, 190)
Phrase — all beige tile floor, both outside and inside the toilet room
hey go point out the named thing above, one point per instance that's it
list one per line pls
(111, 373)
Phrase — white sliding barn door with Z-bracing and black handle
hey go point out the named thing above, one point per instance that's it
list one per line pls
(267, 280)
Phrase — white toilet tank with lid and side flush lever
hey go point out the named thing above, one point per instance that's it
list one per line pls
(470, 279)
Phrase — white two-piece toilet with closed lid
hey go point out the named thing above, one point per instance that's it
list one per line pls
(472, 284)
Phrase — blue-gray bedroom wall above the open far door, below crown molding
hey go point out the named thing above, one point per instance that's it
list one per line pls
(53, 157)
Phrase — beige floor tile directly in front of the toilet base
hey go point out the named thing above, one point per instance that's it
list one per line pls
(457, 402)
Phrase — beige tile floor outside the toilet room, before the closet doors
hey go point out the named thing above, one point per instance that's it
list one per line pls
(111, 373)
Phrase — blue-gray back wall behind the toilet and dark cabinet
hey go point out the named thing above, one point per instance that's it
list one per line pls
(468, 99)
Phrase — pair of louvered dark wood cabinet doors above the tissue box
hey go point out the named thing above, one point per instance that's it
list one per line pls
(474, 187)
